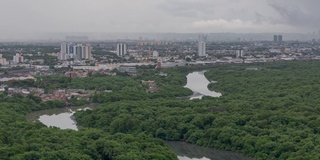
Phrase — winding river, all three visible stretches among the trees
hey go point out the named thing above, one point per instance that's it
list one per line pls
(196, 81)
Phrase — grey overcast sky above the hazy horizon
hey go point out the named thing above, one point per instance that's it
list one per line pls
(185, 16)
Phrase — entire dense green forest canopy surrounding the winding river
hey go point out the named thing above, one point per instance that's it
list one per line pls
(266, 111)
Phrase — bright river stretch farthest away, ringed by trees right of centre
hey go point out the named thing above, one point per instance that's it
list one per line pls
(198, 83)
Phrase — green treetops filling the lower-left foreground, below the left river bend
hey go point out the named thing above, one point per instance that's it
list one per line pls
(24, 140)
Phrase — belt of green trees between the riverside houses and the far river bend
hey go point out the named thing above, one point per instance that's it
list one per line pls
(116, 88)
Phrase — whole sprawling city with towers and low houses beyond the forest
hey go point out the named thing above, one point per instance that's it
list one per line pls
(78, 57)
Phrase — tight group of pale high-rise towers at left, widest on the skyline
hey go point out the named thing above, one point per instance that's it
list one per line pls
(75, 52)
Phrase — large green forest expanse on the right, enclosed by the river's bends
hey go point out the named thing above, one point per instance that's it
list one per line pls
(269, 113)
